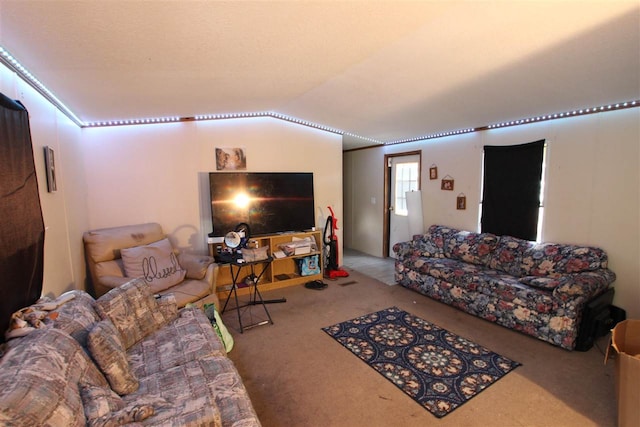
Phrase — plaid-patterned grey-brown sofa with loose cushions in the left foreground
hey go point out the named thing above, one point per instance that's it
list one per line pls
(127, 358)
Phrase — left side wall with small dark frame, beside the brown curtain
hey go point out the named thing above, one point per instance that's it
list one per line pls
(64, 212)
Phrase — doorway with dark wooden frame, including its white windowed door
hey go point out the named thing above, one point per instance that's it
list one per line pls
(402, 174)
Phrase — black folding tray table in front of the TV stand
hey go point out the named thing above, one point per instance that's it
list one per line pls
(255, 297)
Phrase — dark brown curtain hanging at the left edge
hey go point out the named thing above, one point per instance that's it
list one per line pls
(21, 222)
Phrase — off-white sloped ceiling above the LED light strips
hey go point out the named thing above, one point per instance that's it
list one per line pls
(386, 70)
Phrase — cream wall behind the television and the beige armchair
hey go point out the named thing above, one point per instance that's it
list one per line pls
(159, 173)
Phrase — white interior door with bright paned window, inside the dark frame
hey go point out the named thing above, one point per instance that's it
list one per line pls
(405, 177)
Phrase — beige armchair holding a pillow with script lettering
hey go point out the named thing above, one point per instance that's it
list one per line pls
(116, 255)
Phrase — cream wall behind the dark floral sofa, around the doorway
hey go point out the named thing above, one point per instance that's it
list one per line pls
(592, 195)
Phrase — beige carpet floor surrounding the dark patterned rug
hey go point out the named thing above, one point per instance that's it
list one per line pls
(297, 375)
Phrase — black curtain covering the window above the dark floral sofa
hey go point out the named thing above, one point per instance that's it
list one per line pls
(511, 194)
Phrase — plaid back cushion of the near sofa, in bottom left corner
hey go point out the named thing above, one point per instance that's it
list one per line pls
(39, 379)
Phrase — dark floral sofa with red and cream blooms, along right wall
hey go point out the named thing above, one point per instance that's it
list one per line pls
(539, 289)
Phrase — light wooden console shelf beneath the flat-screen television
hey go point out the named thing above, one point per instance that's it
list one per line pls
(282, 272)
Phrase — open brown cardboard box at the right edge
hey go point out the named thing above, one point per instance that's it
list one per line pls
(625, 345)
